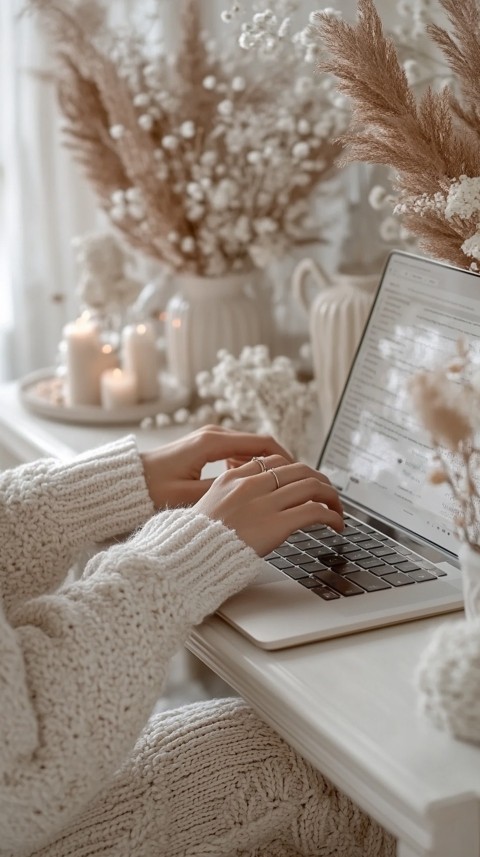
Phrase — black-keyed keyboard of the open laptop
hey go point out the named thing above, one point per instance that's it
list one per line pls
(357, 561)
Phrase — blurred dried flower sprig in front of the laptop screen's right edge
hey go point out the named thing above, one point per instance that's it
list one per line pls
(447, 401)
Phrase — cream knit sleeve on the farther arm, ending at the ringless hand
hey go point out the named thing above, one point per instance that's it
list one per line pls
(49, 511)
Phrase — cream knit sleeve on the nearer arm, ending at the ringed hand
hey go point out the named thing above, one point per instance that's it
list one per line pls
(82, 668)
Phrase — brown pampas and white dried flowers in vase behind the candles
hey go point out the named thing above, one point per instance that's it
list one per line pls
(201, 162)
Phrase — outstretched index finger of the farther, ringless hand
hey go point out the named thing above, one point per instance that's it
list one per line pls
(217, 445)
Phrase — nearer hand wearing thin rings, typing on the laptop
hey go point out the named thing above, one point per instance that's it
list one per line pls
(263, 515)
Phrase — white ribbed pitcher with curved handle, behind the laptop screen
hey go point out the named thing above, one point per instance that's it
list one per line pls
(338, 314)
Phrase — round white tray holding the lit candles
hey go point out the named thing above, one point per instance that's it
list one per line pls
(41, 393)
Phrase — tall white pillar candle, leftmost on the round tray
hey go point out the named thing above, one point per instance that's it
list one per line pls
(82, 354)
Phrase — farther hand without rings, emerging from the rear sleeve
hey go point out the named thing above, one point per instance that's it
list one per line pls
(173, 472)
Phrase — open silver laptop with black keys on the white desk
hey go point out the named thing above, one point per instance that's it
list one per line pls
(397, 557)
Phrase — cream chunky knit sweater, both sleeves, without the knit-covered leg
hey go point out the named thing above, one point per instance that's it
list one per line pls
(82, 665)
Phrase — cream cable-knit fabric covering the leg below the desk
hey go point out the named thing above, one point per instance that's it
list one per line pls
(212, 780)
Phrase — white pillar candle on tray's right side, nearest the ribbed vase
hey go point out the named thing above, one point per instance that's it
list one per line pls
(140, 356)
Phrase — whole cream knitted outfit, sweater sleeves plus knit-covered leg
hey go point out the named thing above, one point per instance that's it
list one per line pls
(82, 665)
